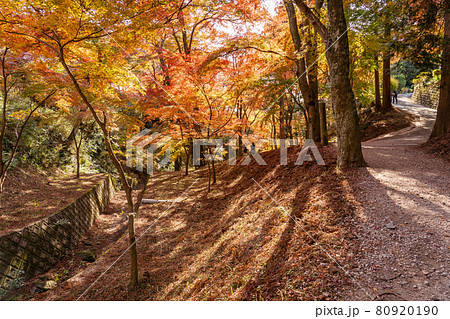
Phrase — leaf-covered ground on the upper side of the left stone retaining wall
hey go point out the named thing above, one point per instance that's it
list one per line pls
(30, 196)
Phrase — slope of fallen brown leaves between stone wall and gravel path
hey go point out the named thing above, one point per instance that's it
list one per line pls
(235, 243)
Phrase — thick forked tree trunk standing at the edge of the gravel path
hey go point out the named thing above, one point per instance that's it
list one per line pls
(335, 39)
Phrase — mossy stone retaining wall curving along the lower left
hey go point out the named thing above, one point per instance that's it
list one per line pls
(38, 247)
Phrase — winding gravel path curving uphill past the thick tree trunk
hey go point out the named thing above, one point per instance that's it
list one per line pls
(403, 222)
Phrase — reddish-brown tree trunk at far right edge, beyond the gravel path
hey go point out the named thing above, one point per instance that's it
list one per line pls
(442, 124)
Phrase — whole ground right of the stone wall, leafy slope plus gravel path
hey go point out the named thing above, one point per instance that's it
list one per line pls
(276, 232)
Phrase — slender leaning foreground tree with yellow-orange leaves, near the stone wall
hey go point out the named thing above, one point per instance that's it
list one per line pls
(67, 35)
